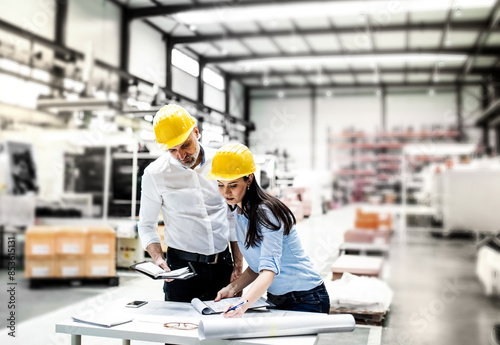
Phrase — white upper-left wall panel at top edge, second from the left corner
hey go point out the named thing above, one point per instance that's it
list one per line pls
(95, 22)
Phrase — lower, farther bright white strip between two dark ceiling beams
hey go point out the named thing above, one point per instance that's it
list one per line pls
(366, 59)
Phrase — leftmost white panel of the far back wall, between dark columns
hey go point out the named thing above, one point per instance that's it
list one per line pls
(283, 124)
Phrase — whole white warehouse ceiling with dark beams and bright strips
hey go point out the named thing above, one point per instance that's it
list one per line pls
(296, 44)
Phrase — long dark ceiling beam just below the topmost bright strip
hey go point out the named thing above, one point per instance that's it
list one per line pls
(461, 26)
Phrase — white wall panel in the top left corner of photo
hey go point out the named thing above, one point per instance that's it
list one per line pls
(36, 16)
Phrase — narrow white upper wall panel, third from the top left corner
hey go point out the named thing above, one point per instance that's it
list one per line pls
(147, 53)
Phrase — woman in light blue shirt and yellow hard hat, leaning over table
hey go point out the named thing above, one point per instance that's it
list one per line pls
(267, 238)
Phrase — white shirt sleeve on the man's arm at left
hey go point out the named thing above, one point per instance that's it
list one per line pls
(149, 211)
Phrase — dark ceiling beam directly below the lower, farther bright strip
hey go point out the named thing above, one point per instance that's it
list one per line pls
(343, 71)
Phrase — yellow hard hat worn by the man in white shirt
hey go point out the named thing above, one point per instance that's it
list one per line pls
(172, 125)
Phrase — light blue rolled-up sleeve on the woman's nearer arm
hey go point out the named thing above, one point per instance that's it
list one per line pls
(271, 246)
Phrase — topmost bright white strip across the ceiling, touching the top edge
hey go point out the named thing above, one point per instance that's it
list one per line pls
(320, 9)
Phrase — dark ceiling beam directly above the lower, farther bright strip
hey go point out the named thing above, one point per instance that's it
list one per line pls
(490, 52)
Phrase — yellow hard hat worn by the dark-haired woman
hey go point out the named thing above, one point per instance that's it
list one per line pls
(231, 162)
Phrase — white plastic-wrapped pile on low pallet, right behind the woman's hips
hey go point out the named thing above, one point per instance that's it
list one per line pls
(359, 293)
